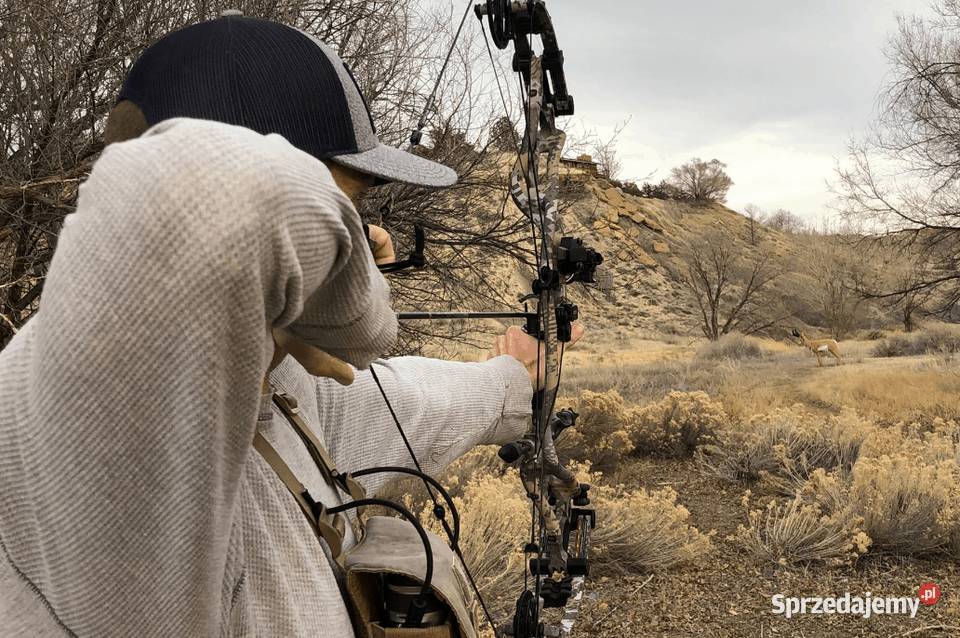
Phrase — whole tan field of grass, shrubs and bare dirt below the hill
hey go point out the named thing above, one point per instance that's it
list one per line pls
(677, 550)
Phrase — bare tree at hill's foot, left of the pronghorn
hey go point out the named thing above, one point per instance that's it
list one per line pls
(728, 288)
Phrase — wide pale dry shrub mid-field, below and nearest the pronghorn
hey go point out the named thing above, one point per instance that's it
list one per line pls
(786, 447)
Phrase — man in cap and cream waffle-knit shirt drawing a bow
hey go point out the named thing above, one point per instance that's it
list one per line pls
(213, 307)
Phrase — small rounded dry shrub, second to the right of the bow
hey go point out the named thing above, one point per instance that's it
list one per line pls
(677, 425)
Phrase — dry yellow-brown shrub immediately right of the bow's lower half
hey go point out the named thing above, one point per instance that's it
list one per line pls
(600, 435)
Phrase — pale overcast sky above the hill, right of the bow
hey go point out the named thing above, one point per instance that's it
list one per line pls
(774, 88)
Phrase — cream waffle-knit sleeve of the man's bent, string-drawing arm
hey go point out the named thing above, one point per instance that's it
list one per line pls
(137, 405)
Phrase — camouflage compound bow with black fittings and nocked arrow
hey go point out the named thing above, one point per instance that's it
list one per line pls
(560, 536)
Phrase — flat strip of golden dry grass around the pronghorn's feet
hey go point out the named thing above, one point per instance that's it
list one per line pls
(888, 390)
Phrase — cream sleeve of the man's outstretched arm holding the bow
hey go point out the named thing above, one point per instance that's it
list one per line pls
(445, 407)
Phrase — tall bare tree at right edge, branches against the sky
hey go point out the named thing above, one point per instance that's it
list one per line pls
(902, 178)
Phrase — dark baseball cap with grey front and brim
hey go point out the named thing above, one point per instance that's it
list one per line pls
(271, 78)
